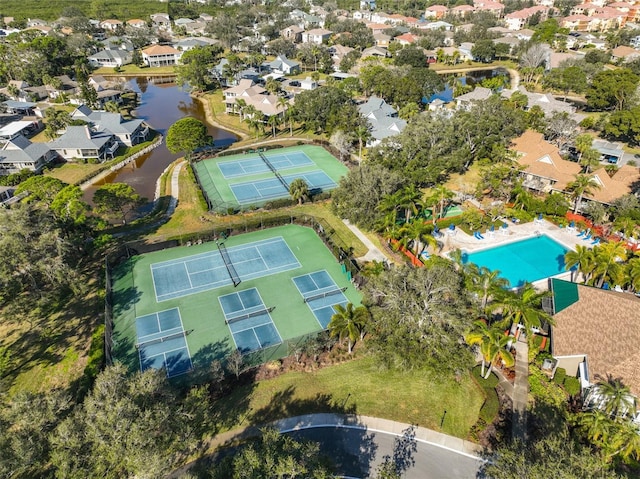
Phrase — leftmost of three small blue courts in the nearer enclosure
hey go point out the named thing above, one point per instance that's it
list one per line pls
(162, 343)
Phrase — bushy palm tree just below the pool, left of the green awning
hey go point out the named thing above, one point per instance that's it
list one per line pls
(524, 307)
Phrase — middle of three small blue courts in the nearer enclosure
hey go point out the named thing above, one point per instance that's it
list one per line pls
(249, 320)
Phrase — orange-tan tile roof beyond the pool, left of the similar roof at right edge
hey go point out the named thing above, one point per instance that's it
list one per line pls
(543, 159)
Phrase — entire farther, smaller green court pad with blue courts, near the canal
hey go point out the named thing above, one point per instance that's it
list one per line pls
(255, 177)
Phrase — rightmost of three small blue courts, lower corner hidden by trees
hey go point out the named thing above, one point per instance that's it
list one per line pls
(321, 294)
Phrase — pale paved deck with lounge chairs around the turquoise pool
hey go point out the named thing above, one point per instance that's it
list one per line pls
(515, 232)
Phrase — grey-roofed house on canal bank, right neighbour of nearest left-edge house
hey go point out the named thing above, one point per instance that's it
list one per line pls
(82, 142)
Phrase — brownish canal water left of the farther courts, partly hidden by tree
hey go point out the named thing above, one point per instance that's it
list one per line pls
(162, 103)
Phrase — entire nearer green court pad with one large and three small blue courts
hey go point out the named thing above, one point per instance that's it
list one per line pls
(178, 308)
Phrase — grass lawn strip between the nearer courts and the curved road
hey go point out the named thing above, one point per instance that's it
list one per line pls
(360, 387)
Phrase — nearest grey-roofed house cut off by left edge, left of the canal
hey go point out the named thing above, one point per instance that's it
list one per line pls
(20, 154)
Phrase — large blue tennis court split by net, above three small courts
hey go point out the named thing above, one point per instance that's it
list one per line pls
(203, 272)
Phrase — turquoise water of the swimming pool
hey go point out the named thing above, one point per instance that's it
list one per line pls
(527, 260)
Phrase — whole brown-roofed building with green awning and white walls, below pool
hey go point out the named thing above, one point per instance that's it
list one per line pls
(596, 334)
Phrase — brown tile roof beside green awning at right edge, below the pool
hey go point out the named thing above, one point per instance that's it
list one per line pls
(604, 325)
